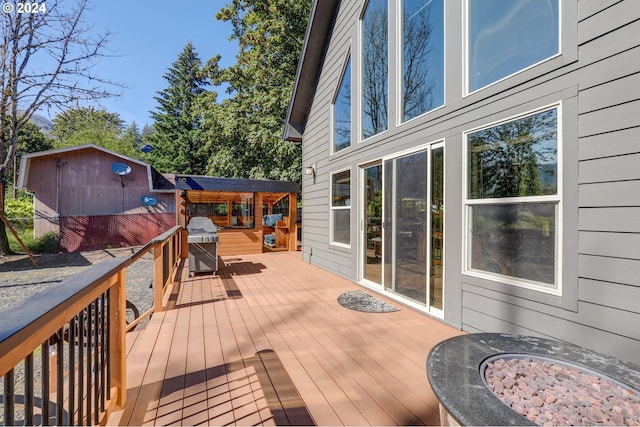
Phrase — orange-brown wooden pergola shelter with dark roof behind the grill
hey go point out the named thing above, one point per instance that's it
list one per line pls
(237, 207)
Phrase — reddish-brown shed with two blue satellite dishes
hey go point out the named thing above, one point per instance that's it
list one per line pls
(96, 198)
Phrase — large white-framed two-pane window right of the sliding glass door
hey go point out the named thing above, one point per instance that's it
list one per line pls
(513, 200)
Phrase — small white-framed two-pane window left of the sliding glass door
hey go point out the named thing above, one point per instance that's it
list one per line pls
(341, 208)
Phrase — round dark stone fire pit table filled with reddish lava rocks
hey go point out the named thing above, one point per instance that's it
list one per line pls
(456, 371)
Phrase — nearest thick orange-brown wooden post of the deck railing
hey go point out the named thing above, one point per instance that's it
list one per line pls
(118, 340)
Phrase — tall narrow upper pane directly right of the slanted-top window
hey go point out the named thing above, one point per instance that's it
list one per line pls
(375, 69)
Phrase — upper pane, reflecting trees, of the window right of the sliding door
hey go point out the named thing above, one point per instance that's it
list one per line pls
(514, 159)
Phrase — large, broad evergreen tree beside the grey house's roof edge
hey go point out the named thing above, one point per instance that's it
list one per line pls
(244, 132)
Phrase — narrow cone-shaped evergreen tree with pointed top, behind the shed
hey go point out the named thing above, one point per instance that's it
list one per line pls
(177, 139)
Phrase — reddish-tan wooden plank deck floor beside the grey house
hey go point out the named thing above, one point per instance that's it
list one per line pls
(267, 343)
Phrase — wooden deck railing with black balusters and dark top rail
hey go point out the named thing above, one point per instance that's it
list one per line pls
(63, 351)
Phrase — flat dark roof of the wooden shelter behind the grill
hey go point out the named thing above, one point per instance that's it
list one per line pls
(194, 182)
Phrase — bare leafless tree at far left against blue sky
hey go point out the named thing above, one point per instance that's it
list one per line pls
(46, 59)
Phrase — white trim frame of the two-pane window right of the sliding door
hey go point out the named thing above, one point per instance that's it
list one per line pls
(556, 199)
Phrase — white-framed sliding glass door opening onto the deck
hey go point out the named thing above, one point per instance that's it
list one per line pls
(402, 225)
